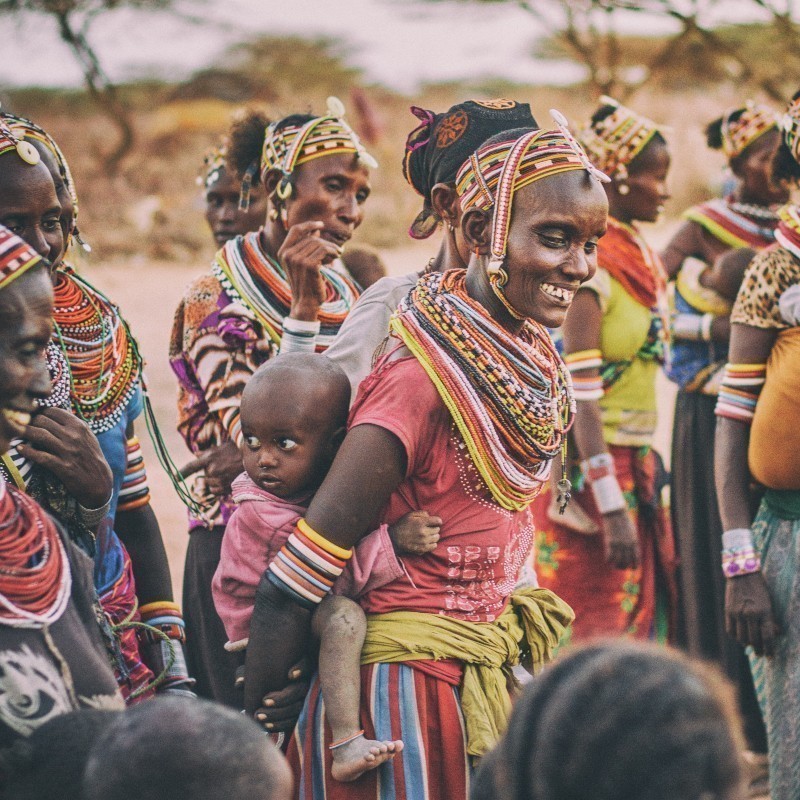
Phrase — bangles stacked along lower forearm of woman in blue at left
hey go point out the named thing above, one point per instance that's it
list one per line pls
(162, 636)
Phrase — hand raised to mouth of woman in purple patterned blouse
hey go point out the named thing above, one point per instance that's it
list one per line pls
(302, 254)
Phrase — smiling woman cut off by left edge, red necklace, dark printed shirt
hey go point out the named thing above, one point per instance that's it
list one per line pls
(51, 650)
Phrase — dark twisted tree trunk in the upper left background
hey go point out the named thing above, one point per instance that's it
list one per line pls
(73, 19)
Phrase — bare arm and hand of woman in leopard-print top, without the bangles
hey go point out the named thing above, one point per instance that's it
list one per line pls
(748, 609)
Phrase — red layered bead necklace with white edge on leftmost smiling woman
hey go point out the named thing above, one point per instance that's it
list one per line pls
(35, 579)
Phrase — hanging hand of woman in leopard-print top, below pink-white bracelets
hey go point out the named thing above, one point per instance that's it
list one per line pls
(748, 613)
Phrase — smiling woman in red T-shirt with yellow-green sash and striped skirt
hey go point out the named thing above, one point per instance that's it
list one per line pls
(461, 418)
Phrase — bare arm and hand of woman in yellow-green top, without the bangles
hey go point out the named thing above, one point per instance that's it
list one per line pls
(582, 334)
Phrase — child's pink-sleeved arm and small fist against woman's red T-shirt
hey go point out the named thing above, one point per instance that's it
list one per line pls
(375, 562)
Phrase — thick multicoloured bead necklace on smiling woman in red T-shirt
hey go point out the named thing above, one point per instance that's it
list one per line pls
(510, 396)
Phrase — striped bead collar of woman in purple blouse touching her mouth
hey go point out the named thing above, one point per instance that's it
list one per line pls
(251, 276)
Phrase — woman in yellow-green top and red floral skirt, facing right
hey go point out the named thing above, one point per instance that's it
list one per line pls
(620, 581)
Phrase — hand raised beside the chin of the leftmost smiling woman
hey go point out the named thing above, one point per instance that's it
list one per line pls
(57, 440)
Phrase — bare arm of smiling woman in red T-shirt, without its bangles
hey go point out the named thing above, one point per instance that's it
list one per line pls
(371, 463)
